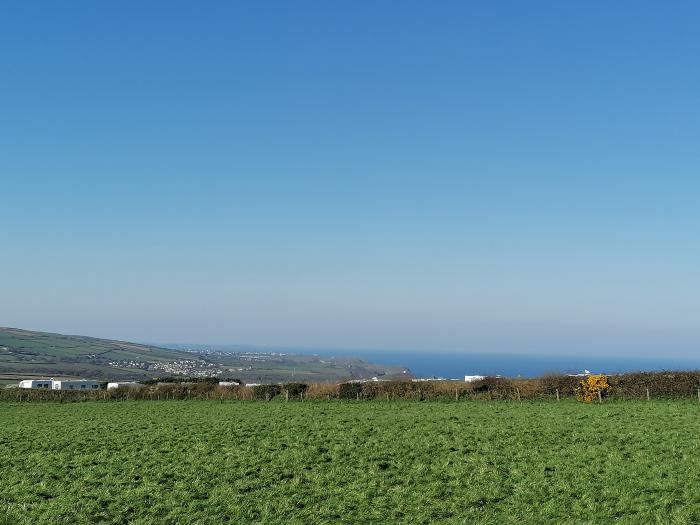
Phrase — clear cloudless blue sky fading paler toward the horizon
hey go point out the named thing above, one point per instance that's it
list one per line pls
(452, 176)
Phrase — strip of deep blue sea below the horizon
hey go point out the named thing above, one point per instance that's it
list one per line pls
(457, 365)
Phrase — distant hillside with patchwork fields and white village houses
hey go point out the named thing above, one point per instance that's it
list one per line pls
(25, 354)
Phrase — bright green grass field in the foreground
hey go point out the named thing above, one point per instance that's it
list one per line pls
(350, 462)
